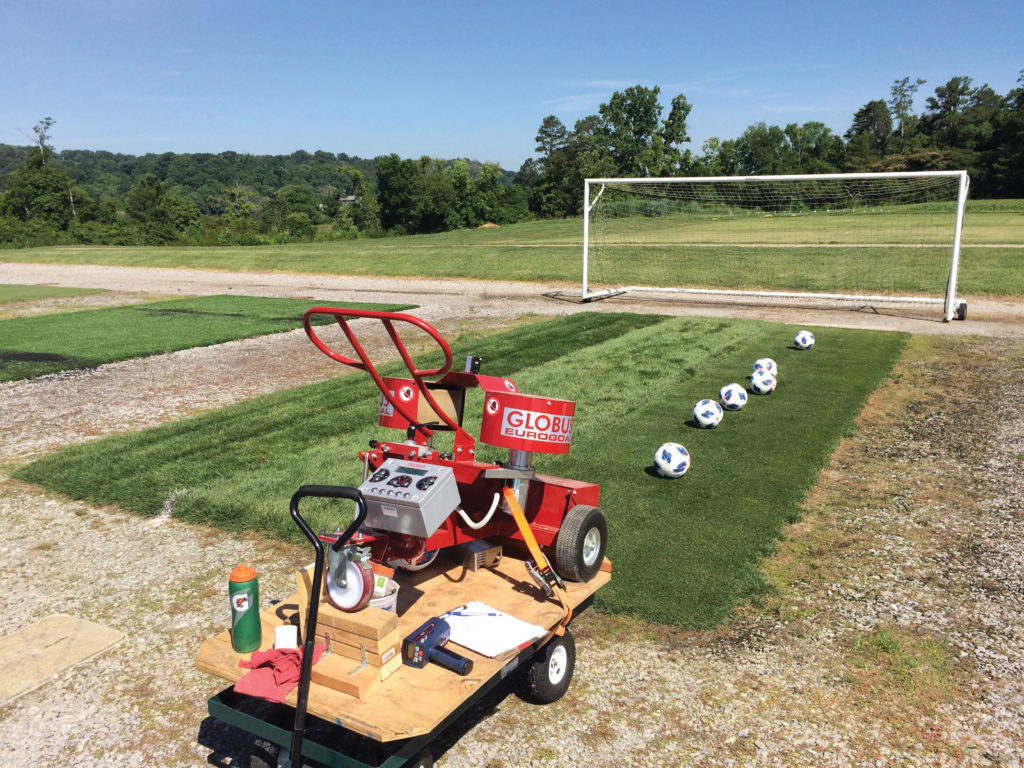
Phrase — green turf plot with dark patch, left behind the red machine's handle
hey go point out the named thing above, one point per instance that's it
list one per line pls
(44, 345)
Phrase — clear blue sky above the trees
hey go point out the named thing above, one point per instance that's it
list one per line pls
(465, 79)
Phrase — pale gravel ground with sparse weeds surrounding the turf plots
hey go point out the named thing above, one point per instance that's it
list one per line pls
(892, 635)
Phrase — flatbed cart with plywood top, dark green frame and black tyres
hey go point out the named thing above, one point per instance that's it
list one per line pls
(403, 713)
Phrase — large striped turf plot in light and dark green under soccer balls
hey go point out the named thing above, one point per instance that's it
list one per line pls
(684, 550)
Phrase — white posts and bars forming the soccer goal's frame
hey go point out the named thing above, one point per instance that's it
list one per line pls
(595, 191)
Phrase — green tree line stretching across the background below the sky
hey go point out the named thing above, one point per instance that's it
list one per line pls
(233, 199)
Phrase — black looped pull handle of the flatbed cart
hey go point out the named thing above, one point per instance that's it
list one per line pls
(310, 635)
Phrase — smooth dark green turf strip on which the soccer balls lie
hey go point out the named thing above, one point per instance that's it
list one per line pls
(687, 550)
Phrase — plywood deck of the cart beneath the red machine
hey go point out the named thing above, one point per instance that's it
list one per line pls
(414, 702)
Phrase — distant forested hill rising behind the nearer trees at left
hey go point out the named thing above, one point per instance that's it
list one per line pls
(203, 178)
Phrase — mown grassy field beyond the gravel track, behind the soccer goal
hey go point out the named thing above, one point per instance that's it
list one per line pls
(993, 259)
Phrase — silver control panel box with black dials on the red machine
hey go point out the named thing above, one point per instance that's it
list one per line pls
(410, 497)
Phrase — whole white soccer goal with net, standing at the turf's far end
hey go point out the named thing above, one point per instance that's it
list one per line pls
(866, 238)
